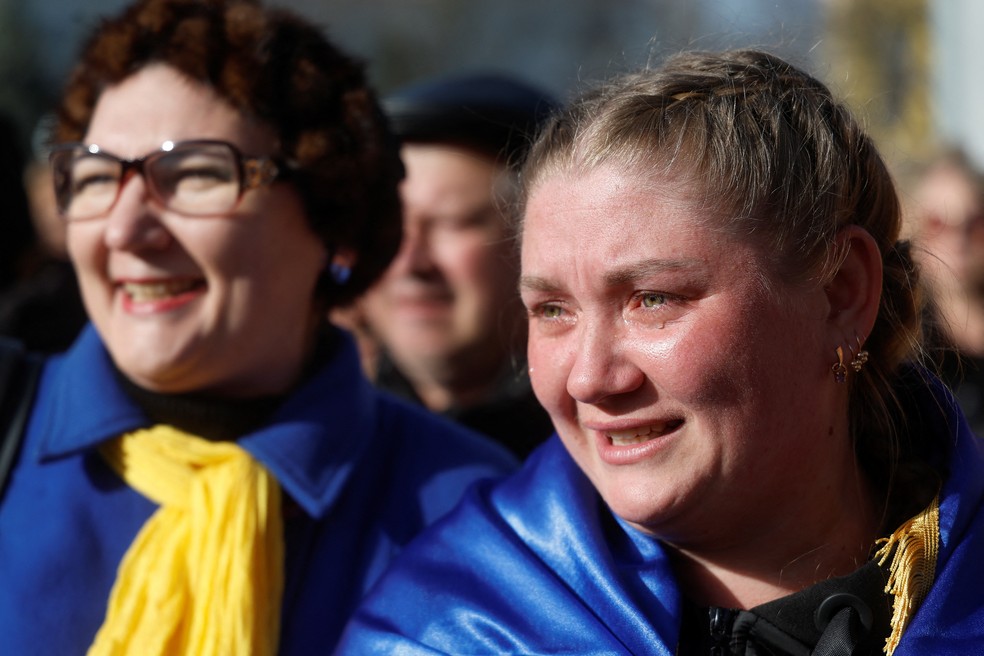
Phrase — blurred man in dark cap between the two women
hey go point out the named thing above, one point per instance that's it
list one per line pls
(446, 313)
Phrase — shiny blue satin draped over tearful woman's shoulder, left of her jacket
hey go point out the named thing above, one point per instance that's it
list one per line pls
(520, 566)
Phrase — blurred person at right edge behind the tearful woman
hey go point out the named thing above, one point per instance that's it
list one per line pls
(946, 220)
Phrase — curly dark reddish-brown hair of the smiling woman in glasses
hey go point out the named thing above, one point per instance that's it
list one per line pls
(274, 66)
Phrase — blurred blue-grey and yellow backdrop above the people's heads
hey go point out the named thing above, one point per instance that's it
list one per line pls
(905, 65)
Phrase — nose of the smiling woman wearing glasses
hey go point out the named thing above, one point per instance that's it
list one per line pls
(133, 223)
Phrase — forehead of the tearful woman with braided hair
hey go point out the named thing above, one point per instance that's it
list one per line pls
(605, 225)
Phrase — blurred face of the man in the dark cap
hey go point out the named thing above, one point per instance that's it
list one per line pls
(448, 301)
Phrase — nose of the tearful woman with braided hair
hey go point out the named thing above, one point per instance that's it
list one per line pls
(602, 366)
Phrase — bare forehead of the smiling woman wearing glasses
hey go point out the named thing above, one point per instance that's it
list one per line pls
(158, 104)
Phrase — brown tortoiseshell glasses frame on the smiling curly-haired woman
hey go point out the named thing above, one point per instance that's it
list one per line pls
(252, 172)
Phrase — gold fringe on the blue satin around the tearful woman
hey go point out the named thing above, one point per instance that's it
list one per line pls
(916, 544)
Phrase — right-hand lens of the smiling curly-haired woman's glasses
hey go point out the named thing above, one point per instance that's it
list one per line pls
(196, 179)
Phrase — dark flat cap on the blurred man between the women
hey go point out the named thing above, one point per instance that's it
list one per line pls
(491, 112)
